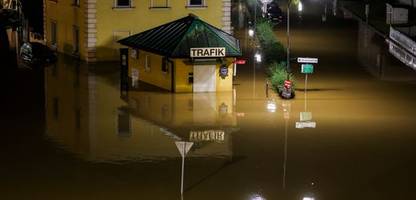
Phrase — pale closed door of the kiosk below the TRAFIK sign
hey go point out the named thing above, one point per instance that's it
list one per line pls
(204, 78)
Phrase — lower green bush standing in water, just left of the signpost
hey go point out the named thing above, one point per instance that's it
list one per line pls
(278, 75)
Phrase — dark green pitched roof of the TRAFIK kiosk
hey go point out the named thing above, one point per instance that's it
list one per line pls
(175, 39)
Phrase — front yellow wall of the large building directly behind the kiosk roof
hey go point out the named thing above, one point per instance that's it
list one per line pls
(140, 18)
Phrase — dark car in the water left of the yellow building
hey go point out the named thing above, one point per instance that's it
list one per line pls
(35, 53)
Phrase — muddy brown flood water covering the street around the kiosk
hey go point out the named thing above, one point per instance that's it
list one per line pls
(69, 133)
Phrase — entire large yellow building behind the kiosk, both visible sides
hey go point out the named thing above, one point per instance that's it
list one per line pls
(90, 29)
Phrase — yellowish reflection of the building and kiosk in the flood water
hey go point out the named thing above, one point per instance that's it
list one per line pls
(87, 117)
